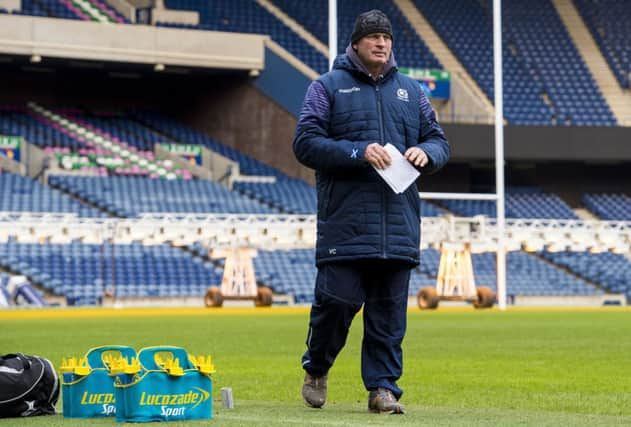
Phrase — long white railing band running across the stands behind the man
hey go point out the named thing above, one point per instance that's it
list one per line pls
(267, 231)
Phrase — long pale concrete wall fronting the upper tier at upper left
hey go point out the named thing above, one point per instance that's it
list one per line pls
(24, 35)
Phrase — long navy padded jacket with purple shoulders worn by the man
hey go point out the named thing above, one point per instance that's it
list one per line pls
(345, 110)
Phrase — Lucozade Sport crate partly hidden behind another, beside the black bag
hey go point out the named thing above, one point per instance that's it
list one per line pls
(87, 386)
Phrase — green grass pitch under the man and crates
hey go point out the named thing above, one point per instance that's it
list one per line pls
(461, 367)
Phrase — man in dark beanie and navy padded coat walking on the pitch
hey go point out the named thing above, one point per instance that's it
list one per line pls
(368, 237)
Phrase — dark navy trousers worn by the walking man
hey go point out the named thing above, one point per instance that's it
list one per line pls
(341, 289)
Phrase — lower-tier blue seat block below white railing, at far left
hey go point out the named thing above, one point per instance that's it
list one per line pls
(83, 273)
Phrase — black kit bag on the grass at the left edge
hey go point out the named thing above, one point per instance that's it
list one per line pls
(29, 386)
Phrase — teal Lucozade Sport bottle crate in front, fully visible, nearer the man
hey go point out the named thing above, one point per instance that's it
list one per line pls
(169, 385)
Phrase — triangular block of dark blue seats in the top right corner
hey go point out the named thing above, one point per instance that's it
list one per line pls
(608, 22)
